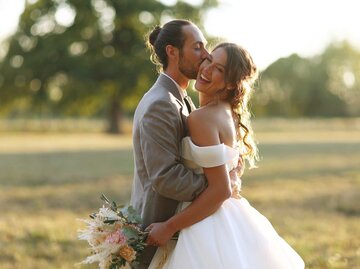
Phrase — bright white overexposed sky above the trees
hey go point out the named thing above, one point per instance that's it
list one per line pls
(267, 29)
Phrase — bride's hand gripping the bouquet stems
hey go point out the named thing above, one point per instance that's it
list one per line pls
(159, 234)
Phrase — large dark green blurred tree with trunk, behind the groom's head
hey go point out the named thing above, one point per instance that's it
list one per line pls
(73, 57)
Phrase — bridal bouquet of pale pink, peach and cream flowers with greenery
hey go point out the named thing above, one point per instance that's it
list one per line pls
(114, 236)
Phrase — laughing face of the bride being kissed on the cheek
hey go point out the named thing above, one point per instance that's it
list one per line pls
(211, 76)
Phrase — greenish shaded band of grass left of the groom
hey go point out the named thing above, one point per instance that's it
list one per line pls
(58, 168)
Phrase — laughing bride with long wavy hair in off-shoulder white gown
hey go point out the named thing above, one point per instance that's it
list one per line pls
(220, 229)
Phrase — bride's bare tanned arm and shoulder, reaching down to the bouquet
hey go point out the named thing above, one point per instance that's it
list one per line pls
(203, 133)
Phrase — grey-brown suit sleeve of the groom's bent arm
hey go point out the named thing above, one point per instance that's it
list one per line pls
(161, 133)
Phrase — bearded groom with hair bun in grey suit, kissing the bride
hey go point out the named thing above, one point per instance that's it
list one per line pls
(161, 181)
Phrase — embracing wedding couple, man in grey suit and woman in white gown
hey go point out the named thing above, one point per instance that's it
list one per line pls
(187, 160)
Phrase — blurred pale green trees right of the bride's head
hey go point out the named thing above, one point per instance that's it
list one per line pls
(325, 85)
